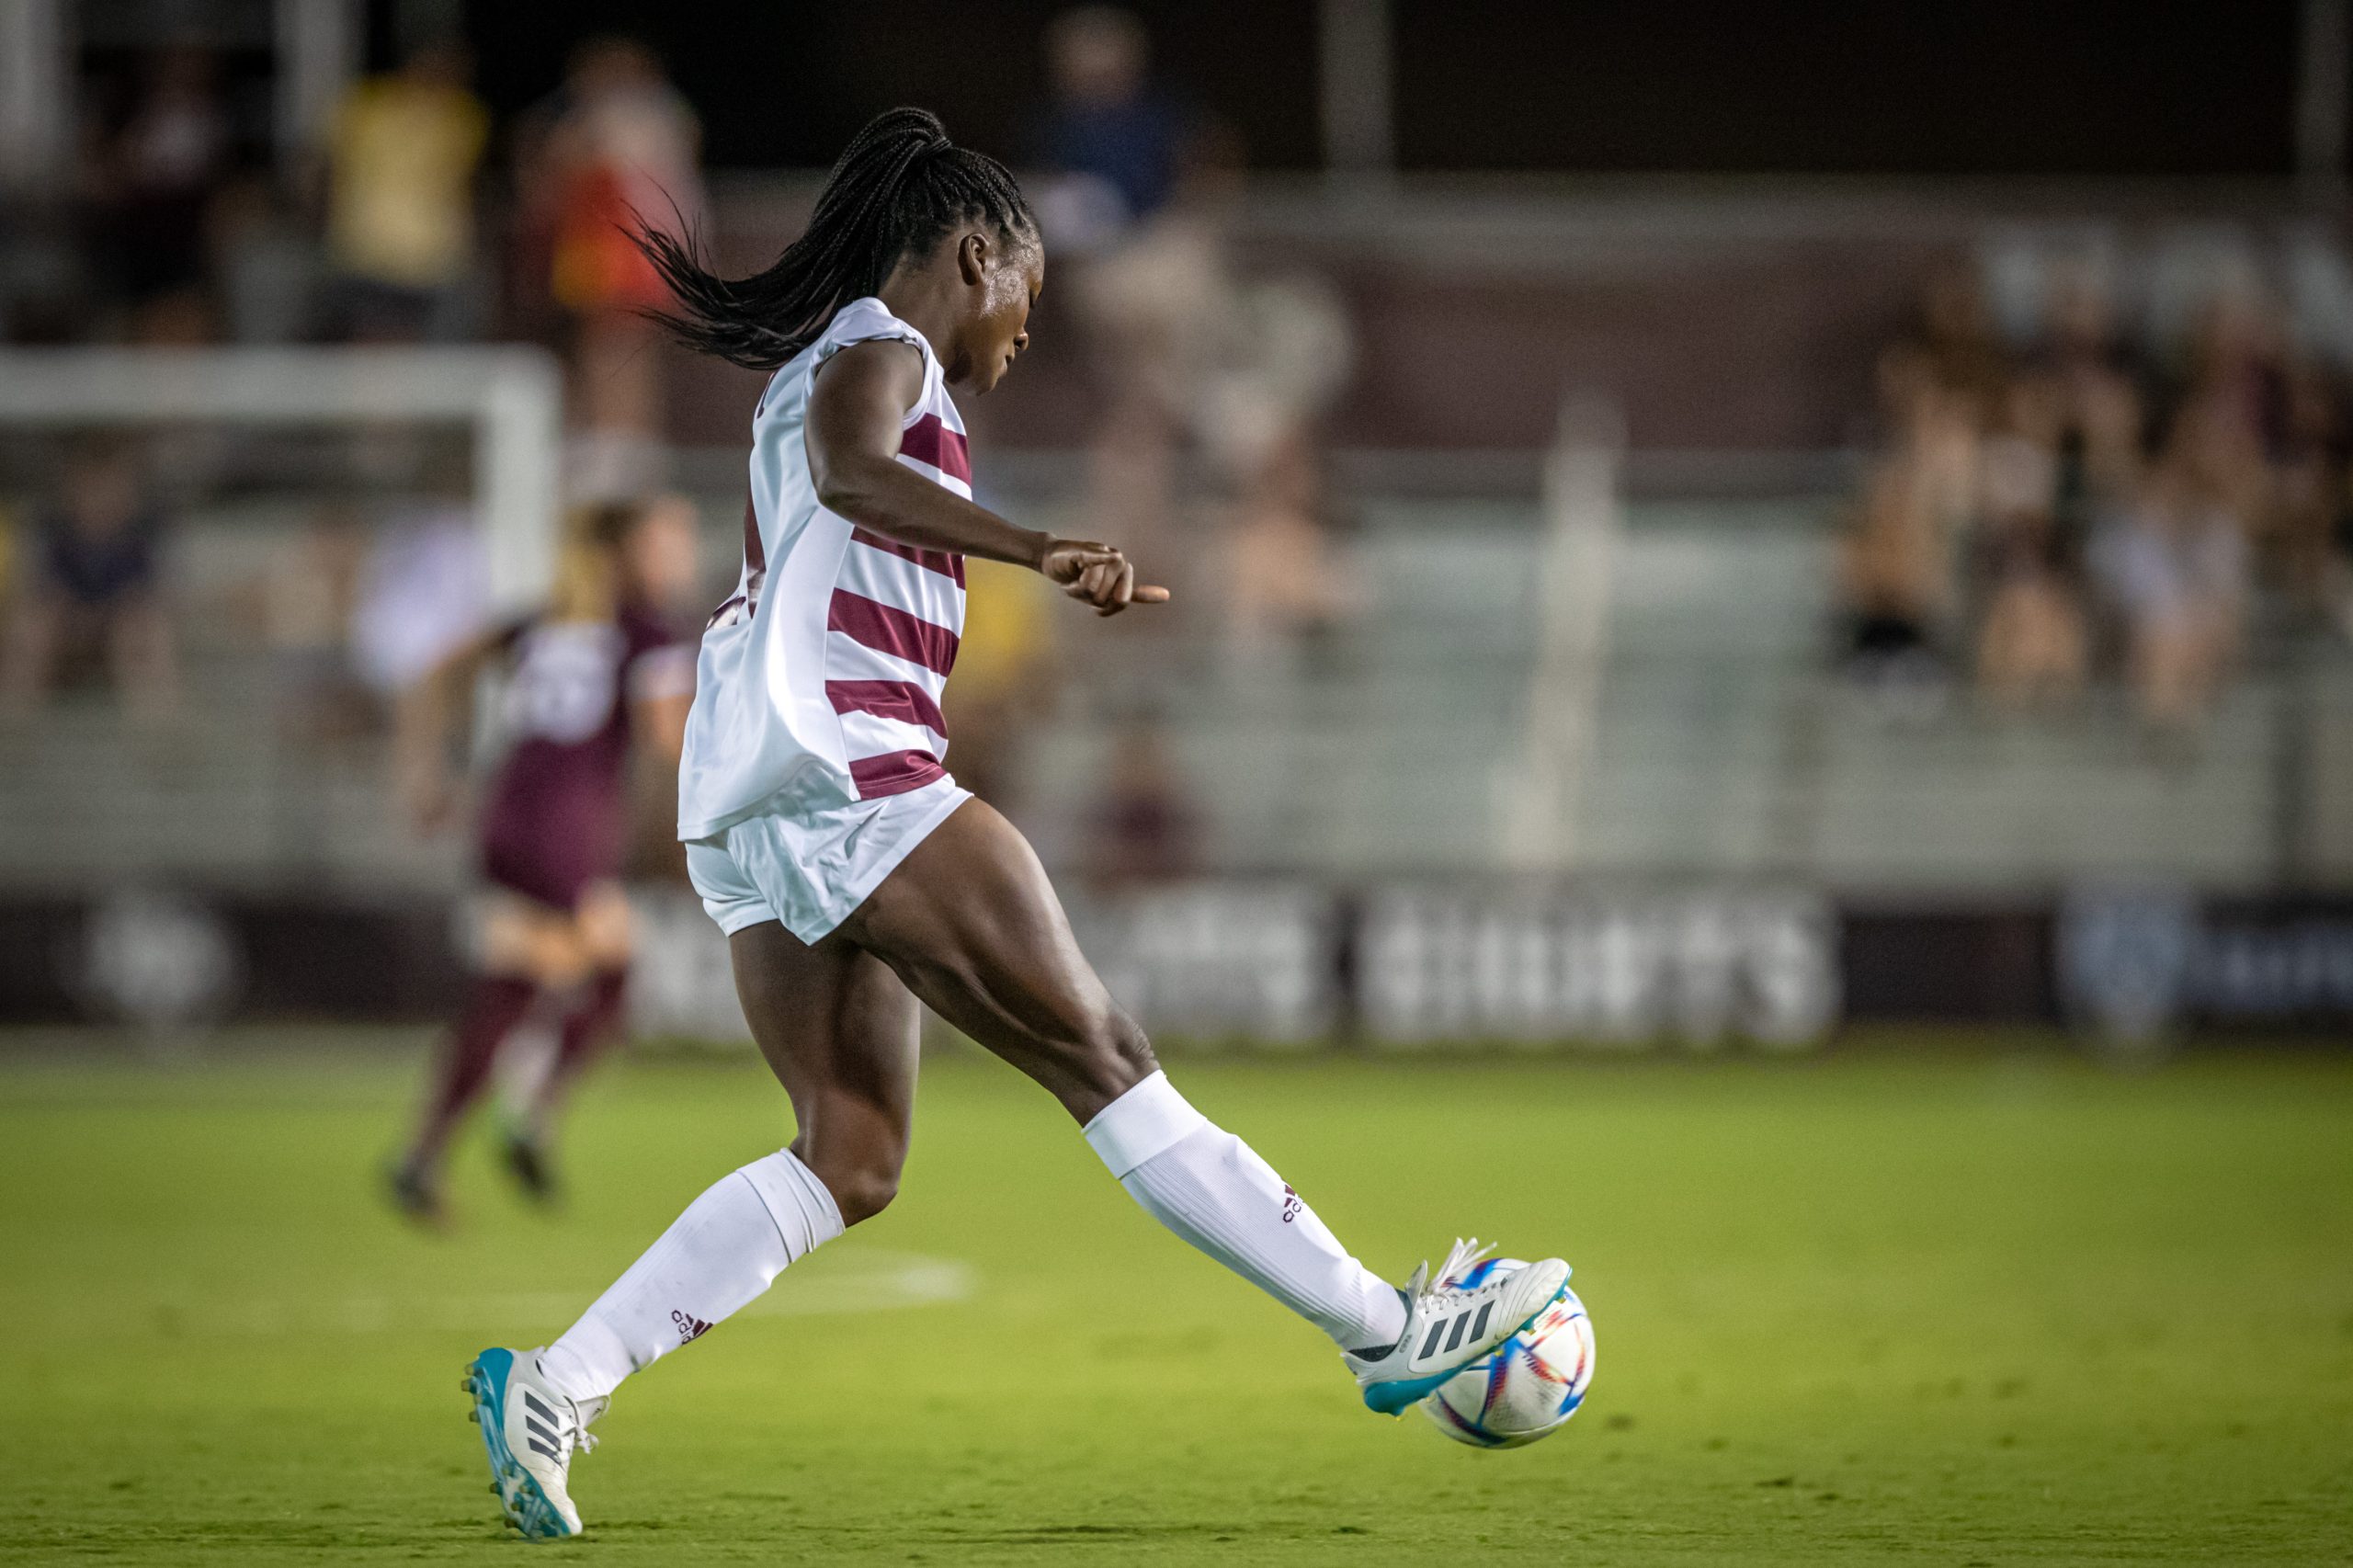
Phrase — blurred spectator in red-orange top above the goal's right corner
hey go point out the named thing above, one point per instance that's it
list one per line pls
(625, 150)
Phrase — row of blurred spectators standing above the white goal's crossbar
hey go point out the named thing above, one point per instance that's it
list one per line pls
(413, 218)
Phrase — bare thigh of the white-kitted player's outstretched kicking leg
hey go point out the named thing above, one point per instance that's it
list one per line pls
(975, 929)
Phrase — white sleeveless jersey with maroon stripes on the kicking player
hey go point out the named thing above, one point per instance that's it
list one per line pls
(820, 679)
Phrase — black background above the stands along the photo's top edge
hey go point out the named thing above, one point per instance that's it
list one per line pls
(1672, 86)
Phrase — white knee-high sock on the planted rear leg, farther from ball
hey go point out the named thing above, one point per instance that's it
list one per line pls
(712, 1263)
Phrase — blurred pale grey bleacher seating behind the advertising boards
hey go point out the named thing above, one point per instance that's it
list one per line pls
(1724, 745)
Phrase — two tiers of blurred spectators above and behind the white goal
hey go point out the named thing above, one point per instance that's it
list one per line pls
(411, 220)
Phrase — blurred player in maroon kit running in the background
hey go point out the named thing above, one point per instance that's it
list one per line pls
(592, 677)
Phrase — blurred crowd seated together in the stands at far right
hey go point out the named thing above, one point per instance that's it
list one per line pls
(2086, 503)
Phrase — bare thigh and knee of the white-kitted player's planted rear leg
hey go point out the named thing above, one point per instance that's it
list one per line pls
(841, 1035)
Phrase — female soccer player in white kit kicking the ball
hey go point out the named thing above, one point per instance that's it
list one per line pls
(848, 870)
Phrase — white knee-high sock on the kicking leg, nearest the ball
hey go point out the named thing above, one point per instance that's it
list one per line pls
(1206, 1185)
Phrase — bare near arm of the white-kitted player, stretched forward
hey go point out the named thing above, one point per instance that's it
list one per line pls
(858, 408)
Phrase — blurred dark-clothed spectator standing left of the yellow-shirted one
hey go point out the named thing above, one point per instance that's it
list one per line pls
(154, 182)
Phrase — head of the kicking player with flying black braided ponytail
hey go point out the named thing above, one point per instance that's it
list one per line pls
(900, 197)
